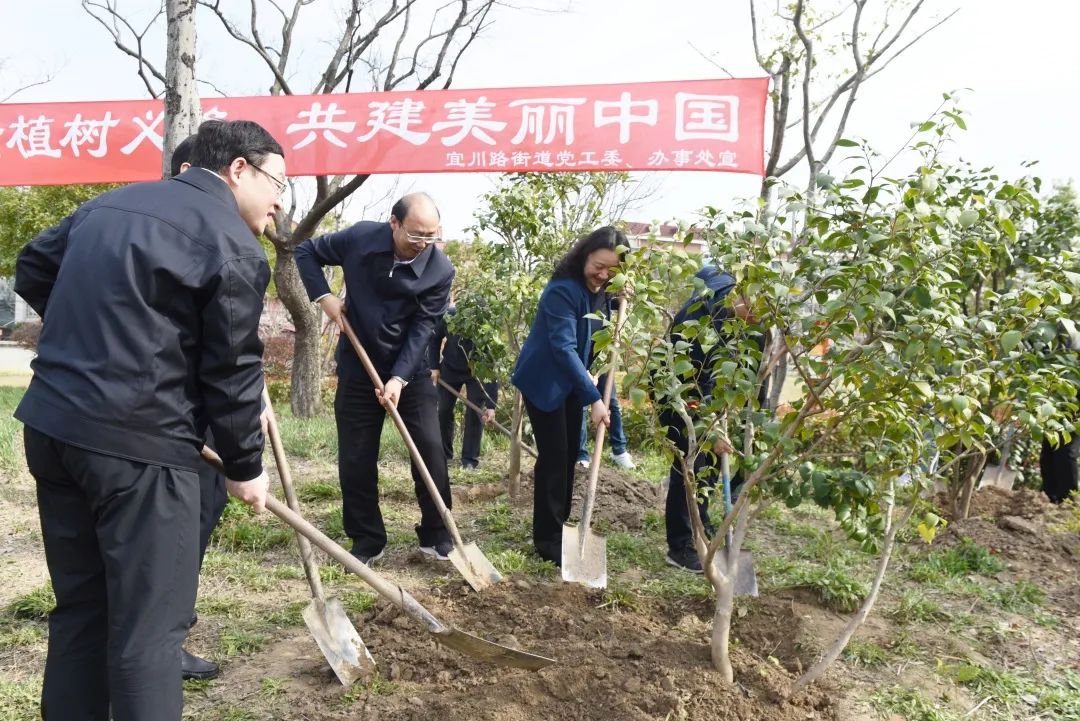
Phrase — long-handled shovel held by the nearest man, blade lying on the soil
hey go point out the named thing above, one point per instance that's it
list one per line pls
(467, 644)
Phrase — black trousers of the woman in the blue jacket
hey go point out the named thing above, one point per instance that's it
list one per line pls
(558, 434)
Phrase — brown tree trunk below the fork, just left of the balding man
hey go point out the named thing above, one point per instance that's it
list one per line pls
(307, 398)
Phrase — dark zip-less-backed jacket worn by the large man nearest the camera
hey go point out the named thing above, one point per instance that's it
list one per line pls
(151, 297)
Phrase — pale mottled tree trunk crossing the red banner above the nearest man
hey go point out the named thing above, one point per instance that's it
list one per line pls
(182, 97)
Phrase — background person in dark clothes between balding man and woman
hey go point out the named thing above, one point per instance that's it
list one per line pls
(450, 363)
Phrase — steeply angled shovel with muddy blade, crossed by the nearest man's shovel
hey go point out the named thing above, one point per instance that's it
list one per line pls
(326, 618)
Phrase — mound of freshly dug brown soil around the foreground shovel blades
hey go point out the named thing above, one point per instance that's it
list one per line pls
(611, 665)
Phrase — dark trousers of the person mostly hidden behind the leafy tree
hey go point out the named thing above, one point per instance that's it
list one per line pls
(706, 470)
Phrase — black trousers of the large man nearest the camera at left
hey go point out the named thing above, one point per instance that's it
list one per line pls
(123, 548)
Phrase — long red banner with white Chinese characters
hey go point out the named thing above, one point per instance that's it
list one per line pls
(695, 126)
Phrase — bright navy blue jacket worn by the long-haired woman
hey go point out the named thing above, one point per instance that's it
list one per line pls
(552, 363)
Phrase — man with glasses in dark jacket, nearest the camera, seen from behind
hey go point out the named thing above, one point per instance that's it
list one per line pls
(151, 297)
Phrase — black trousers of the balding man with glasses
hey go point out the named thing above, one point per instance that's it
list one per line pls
(360, 418)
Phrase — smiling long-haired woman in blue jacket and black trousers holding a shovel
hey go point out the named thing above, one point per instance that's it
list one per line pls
(555, 379)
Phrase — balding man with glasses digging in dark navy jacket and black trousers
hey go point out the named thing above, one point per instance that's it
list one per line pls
(398, 287)
